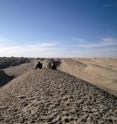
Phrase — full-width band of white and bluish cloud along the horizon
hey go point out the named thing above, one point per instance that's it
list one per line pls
(80, 48)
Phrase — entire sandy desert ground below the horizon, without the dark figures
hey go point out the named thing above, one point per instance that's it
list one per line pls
(79, 91)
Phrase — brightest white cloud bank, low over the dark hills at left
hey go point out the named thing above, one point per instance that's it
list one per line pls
(31, 50)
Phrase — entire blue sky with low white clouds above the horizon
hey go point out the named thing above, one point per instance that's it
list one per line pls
(58, 28)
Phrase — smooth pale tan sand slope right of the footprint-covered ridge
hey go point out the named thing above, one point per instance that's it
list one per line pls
(99, 72)
